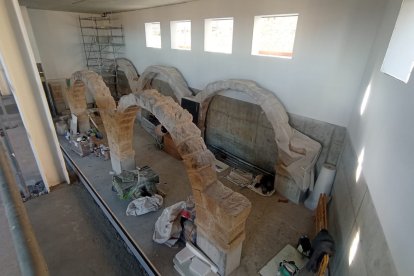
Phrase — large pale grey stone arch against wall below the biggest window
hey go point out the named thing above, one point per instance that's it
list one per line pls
(297, 153)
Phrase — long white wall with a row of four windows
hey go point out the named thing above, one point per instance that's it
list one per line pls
(332, 43)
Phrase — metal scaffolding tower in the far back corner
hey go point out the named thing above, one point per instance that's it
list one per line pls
(102, 42)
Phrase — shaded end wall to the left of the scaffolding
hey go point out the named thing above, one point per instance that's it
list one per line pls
(59, 41)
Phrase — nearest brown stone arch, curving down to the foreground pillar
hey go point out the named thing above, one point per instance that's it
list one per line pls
(221, 213)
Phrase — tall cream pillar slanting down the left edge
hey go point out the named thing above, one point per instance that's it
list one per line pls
(18, 61)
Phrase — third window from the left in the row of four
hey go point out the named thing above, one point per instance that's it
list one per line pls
(218, 35)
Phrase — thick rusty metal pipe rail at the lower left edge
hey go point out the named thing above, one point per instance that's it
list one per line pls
(29, 256)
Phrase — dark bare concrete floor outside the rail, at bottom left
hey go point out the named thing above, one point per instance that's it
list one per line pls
(73, 234)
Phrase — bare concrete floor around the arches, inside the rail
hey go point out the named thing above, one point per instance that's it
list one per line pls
(270, 226)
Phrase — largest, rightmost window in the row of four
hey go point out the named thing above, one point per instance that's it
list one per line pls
(274, 35)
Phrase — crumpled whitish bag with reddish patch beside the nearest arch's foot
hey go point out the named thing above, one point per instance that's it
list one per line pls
(168, 228)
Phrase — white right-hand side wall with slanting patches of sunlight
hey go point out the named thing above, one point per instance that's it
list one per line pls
(386, 130)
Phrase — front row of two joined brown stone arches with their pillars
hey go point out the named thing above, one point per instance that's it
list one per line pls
(221, 212)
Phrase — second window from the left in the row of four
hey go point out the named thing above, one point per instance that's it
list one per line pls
(181, 35)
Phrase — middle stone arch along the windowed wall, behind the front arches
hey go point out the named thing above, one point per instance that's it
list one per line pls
(169, 75)
